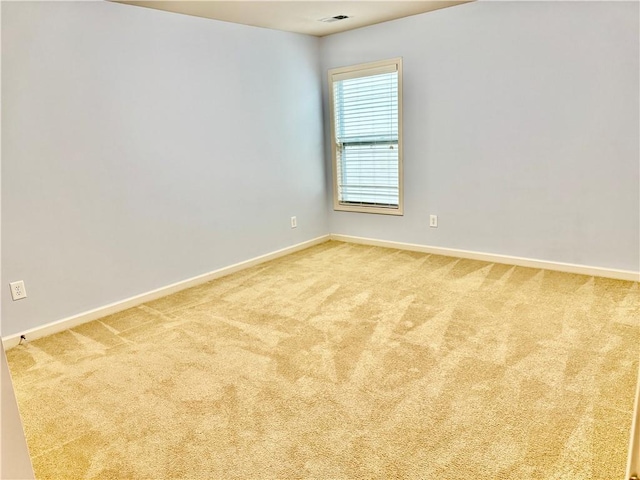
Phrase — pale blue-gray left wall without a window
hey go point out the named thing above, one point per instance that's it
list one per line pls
(141, 148)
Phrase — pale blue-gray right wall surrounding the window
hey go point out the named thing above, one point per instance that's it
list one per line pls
(520, 129)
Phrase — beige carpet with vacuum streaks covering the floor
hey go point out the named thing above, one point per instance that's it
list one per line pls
(344, 361)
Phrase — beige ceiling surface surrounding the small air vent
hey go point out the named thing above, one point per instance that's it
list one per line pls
(301, 16)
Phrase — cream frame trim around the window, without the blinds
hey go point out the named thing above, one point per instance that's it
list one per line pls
(354, 71)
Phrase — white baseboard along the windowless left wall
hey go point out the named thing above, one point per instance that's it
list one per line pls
(75, 320)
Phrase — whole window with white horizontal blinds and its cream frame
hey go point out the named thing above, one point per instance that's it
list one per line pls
(366, 119)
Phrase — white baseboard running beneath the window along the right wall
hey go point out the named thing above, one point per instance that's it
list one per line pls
(494, 258)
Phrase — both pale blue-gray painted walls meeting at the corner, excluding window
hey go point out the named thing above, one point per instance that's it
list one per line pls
(141, 148)
